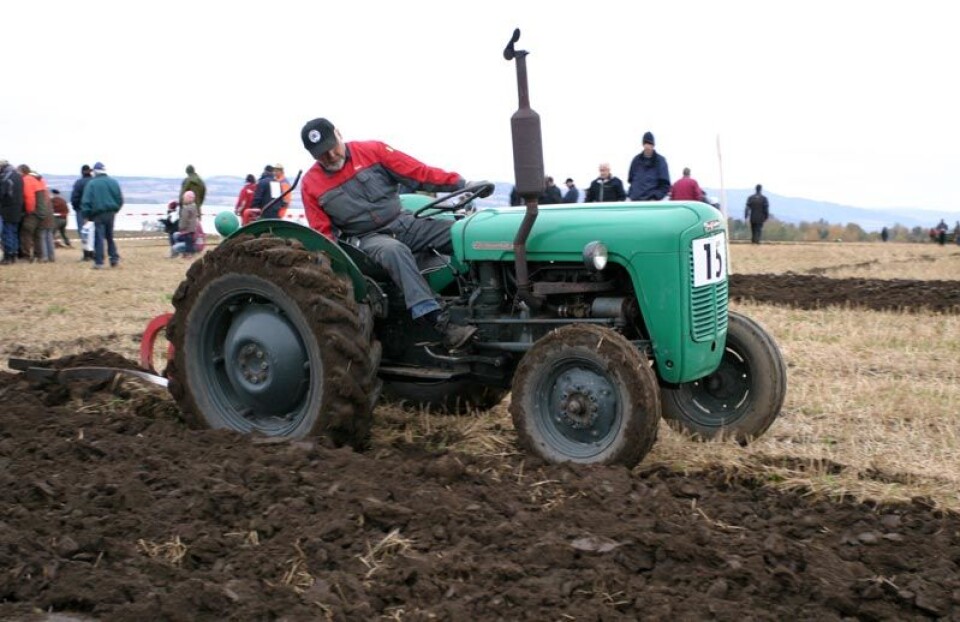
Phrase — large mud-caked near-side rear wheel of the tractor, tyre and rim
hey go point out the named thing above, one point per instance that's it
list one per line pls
(268, 339)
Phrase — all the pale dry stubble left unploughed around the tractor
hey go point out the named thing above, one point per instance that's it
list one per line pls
(872, 405)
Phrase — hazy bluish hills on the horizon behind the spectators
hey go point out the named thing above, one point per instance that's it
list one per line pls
(223, 190)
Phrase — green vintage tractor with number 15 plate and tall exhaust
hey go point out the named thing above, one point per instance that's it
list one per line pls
(598, 320)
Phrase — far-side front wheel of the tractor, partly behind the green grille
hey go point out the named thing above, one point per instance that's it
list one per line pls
(742, 398)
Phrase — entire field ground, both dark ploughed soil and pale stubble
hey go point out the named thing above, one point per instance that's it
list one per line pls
(112, 509)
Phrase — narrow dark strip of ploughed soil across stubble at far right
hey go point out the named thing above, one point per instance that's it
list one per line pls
(813, 291)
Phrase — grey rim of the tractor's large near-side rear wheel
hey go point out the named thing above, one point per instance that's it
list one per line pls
(255, 365)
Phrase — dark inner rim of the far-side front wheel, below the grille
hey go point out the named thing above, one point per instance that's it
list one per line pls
(720, 399)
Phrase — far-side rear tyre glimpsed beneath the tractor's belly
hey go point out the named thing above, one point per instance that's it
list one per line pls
(456, 397)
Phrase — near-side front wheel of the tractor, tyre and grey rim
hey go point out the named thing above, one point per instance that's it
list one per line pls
(585, 394)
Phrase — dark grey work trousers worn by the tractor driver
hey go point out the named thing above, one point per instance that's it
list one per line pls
(394, 246)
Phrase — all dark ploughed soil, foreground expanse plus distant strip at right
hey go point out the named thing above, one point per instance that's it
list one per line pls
(112, 509)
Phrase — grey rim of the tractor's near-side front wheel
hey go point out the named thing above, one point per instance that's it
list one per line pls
(580, 413)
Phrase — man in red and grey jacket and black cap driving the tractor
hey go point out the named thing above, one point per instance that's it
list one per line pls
(352, 192)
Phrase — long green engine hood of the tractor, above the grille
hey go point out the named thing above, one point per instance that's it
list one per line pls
(561, 231)
